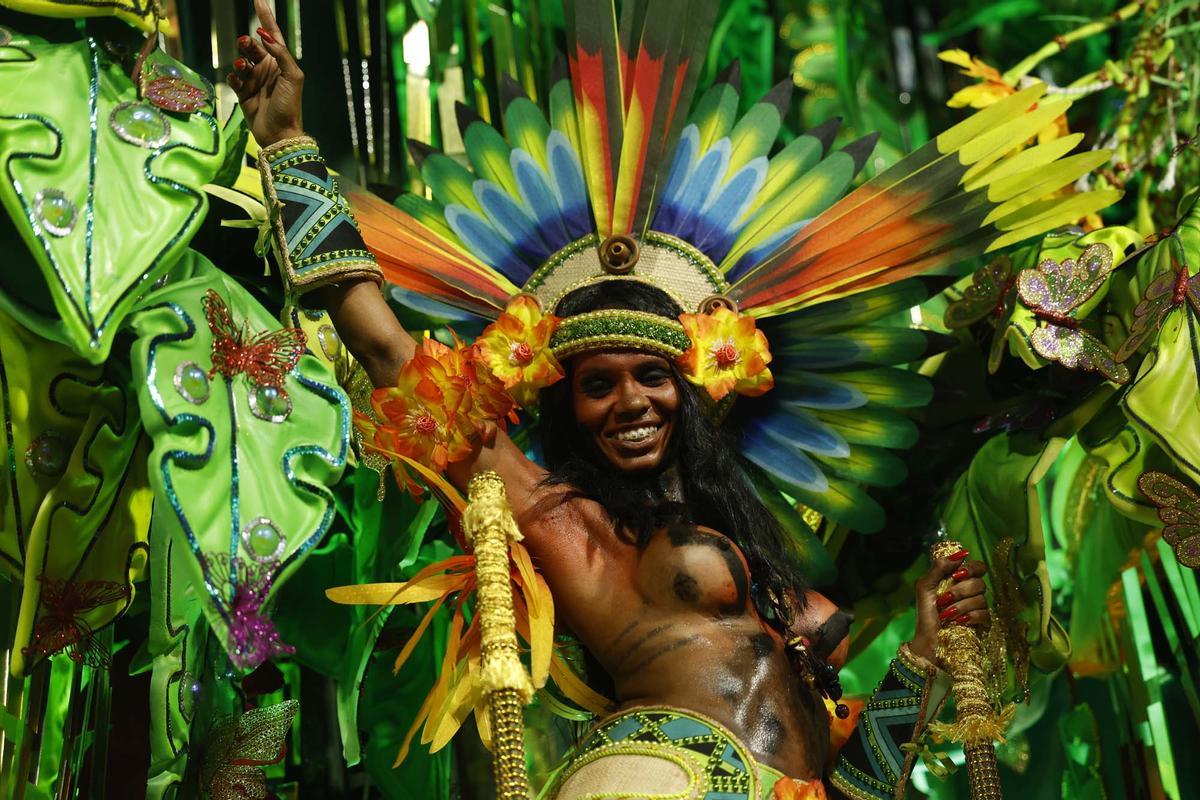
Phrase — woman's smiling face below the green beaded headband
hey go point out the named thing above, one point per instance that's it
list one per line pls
(628, 404)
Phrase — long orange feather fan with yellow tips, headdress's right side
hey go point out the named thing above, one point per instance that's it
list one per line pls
(967, 193)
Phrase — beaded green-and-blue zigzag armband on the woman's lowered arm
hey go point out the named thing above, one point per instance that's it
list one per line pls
(873, 766)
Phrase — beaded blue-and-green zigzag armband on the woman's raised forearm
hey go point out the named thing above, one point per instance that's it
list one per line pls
(317, 240)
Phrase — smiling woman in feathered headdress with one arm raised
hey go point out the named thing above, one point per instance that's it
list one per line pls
(631, 286)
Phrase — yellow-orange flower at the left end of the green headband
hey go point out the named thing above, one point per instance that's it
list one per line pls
(517, 350)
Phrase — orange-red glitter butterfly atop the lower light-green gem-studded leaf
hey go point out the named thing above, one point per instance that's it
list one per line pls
(266, 358)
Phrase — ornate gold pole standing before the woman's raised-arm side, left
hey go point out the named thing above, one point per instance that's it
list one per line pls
(490, 530)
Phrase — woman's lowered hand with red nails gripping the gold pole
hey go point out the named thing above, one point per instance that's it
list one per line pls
(963, 604)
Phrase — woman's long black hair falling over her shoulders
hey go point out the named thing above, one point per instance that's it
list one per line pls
(716, 491)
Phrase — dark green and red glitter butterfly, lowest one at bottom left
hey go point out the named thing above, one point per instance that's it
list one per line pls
(239, 748)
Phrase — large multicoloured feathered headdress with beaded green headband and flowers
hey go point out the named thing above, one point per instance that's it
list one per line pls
(629, 179)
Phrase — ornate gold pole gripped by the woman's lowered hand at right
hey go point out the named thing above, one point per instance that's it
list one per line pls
(979, 724)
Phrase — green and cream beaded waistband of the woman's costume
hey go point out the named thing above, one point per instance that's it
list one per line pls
(665, 753)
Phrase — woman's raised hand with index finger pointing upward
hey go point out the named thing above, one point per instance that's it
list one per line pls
(269, 82)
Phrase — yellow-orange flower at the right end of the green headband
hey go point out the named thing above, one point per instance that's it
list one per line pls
(728, 353)
